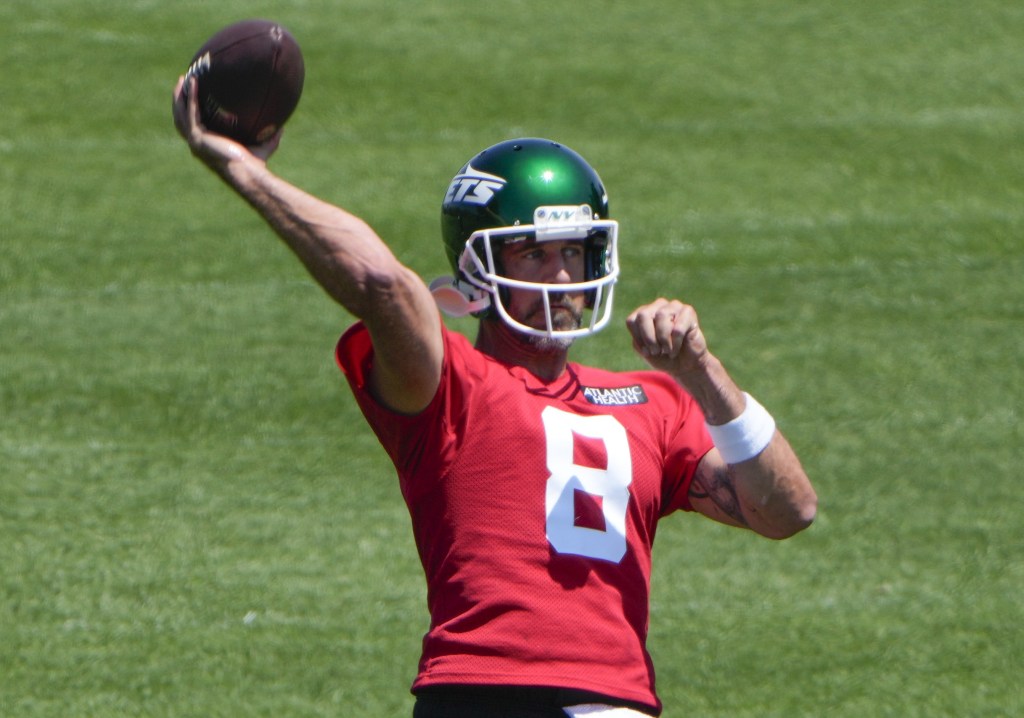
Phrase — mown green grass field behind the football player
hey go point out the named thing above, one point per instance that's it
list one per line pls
(196, 523)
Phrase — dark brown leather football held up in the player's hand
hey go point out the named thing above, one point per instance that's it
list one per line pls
(250, 79)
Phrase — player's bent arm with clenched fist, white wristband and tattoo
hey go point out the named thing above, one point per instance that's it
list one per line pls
(769, 492)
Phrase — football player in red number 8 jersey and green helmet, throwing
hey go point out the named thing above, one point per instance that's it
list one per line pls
(535, 485)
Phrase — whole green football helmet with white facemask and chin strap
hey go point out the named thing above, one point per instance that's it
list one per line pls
(535, 190)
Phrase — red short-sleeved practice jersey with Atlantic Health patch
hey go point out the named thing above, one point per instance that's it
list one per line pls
(534, 506)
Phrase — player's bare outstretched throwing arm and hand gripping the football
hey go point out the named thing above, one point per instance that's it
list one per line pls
(344, 255)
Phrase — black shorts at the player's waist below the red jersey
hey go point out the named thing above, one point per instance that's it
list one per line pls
(507, 702)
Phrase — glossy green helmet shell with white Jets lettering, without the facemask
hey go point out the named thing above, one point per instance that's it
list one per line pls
(504, 185)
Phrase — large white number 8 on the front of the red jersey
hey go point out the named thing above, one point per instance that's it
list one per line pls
(607, 488)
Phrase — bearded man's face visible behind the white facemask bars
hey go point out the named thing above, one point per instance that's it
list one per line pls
(553, 263)
